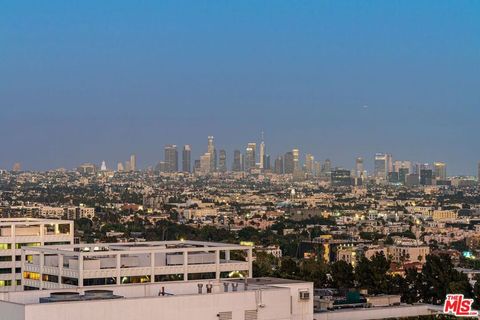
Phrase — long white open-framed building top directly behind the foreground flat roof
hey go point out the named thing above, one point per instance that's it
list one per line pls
(69, 266)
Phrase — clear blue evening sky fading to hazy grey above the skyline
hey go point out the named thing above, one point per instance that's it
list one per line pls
(97, 80)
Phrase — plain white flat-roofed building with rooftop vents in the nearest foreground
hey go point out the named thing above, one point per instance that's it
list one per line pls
(241, 299)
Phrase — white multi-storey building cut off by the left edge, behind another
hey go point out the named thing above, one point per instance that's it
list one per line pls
(17, 233)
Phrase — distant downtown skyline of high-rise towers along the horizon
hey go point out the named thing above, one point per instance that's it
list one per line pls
(176, 158)
